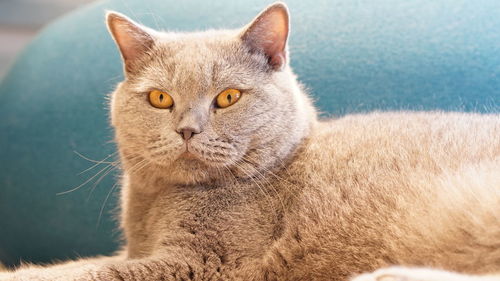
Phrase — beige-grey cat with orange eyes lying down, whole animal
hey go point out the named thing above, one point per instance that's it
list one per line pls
(228, 174)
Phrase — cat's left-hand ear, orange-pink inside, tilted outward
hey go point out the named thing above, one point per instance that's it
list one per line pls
(132, 39)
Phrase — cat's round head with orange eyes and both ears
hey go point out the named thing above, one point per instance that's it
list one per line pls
(198, 107)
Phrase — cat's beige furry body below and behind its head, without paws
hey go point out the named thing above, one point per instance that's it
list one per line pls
(362, 192)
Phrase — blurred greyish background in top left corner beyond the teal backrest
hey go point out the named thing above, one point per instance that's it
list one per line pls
(21, 19)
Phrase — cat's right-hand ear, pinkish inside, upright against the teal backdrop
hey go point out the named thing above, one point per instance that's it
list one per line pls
(268, 33)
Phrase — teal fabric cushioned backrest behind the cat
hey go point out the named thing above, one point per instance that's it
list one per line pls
(352, 55)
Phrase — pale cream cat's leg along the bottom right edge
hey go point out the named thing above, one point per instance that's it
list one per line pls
(420, 274)
